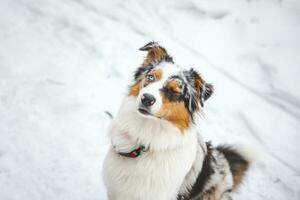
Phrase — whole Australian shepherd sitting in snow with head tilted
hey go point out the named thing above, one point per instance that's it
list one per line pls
(156, 151)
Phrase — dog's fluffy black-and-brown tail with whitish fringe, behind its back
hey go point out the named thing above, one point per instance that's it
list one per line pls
(239, 159)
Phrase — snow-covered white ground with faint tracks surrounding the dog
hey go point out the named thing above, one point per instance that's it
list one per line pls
(63, 63)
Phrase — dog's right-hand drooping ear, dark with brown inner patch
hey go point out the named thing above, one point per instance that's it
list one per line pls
(204, 90)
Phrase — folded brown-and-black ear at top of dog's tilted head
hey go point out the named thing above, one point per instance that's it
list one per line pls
(156, 54)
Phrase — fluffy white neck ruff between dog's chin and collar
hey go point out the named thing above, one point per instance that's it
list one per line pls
(130, 130)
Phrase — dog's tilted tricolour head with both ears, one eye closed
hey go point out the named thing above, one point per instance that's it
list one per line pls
(166, 92)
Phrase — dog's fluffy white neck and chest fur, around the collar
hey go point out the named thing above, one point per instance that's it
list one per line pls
(156, 174)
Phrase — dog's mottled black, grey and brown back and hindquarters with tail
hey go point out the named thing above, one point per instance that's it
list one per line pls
(222, 171)
